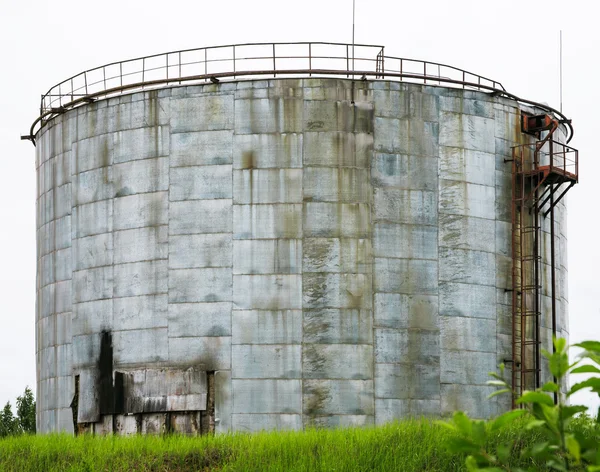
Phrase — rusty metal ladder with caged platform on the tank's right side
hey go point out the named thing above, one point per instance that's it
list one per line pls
(542, 173)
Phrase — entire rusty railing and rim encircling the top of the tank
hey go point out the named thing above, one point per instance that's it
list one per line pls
(215, 64)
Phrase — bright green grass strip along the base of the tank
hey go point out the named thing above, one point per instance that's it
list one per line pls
(412, 445)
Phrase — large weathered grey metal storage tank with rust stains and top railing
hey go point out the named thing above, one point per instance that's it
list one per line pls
(344, 245)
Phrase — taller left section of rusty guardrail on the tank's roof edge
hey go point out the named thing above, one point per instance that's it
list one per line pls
(210, 63)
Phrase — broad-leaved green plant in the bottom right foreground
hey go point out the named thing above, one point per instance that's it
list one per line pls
(562, 446)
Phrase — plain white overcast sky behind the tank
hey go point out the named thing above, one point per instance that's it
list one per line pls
(513, 41)
